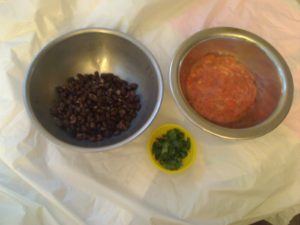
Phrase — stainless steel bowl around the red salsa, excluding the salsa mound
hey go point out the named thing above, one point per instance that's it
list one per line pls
(273, 79)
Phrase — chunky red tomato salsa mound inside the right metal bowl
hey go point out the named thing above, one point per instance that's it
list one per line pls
(220, 88)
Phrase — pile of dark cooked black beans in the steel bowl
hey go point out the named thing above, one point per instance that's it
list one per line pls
(93, 106)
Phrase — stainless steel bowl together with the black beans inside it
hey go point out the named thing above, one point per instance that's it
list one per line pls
(93, 89)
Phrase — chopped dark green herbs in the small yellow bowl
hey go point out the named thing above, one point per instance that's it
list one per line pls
(171, 148)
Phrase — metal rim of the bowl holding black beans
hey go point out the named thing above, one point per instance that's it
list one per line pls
(49, 45)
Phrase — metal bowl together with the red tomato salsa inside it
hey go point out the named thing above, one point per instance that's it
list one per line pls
(231, 83)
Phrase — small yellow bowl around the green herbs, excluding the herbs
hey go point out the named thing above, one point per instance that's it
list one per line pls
(187, 161)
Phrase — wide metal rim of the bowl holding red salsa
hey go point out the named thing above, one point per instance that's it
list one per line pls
(264, 127)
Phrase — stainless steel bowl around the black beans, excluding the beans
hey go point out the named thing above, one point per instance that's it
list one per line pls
(87, 51)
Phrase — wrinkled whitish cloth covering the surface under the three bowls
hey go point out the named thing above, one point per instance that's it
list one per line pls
(232, 182)
